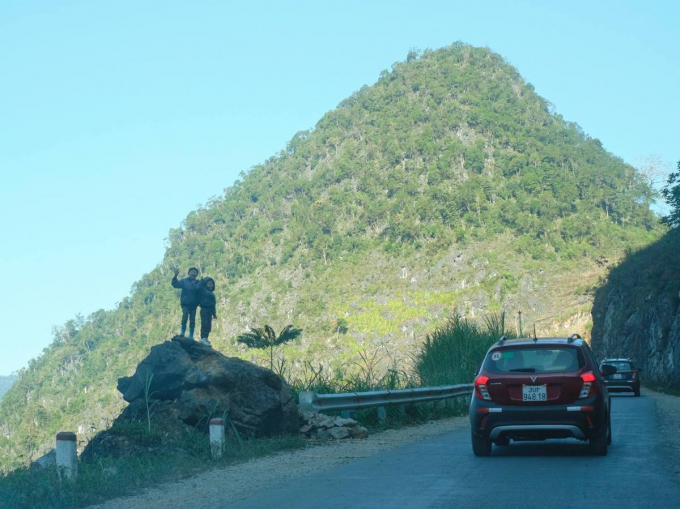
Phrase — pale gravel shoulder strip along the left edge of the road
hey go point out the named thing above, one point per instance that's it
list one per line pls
(219, 487)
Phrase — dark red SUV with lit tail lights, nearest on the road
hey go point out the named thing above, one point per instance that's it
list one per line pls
(540, 388)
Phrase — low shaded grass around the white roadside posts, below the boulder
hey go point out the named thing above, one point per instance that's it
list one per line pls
(163, 460)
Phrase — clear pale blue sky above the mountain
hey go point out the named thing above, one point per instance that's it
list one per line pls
(118, 118)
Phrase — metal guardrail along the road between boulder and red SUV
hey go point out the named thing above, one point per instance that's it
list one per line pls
(313, 402)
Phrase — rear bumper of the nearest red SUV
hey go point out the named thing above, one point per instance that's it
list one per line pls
(580, 420)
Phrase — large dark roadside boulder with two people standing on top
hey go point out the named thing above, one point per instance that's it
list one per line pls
(183, 384)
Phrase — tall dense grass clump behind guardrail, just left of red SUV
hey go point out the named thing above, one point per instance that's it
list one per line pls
(453, 353)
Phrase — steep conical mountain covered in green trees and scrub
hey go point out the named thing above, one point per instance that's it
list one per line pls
(448, 186)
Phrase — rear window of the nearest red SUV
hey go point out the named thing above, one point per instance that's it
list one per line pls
(534, 360)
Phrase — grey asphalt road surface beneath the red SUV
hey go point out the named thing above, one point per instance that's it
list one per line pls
(443, 473)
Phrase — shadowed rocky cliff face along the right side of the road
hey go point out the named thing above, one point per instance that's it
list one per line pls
(637, 312)
